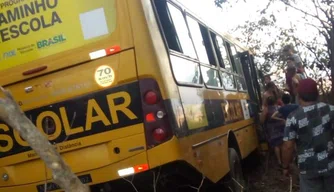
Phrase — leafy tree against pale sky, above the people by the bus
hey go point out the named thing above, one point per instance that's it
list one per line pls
(317, 51)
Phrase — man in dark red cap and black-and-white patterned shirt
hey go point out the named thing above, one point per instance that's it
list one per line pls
(311, 128)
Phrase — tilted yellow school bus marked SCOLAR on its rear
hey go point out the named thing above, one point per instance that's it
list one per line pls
(135, 95)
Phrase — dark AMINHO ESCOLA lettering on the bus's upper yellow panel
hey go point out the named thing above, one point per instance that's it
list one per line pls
(25, 27)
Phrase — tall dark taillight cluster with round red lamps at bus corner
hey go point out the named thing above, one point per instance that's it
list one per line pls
(157, 126)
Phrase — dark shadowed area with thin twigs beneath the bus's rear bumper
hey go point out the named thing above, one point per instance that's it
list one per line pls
(174, 176)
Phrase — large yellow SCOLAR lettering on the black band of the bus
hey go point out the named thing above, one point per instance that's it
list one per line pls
(95, 113)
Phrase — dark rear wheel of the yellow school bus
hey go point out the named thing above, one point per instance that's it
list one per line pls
(237, 182)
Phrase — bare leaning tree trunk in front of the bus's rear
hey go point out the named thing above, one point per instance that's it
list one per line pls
(11, 113)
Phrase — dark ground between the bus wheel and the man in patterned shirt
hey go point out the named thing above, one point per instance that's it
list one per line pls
(270, 179)
